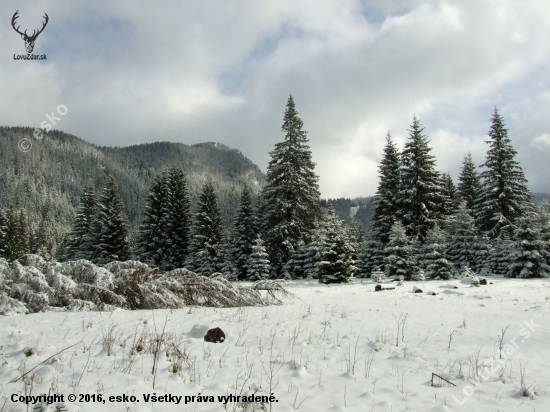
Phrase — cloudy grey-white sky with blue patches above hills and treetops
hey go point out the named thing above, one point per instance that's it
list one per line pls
(194, 71)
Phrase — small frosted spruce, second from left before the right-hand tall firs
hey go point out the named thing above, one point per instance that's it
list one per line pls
(435, 263)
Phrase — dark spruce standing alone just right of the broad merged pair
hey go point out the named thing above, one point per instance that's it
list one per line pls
(205, 252)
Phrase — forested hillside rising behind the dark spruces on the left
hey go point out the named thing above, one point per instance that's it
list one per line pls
(47, 181)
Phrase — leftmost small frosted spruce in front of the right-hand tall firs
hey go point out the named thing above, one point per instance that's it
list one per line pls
(399, 260)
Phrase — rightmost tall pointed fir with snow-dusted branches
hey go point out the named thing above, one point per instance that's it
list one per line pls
(504, 195)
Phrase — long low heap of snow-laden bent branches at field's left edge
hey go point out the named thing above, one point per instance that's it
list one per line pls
(31, 284)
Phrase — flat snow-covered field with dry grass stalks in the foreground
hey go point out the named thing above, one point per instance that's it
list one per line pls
(331, 348)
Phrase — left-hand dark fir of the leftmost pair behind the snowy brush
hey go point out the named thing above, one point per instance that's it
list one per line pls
(79, 243)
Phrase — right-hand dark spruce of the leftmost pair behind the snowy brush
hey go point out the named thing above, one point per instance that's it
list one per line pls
(111, 233)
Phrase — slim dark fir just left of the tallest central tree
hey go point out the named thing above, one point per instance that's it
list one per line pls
(245, 234)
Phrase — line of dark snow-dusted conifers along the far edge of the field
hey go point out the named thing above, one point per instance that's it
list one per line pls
(422, 226)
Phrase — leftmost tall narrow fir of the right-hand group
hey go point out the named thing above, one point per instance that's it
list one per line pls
(386, 199)
